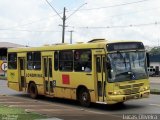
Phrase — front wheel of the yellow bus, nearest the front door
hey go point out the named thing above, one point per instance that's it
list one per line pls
(84, 97)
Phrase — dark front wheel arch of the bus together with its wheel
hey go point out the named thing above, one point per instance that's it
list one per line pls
(83, 96)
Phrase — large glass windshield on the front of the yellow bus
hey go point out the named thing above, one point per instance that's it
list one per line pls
(126, 66)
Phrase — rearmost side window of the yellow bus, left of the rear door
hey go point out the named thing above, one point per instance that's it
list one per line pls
(12, 61)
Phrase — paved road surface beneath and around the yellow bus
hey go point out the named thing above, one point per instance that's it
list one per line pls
(71, 110)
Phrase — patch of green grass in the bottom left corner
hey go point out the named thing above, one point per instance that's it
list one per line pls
(8, 113)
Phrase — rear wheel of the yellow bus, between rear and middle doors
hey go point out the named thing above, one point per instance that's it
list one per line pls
(33, 90)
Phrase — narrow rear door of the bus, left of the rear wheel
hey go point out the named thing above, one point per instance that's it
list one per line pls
(22, 74)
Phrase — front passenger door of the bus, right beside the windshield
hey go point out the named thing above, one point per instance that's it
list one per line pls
(101, 78)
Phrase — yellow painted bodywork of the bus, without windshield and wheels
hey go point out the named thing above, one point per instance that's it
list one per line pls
(65, 84)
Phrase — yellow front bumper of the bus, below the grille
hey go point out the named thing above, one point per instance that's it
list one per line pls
(112, 99)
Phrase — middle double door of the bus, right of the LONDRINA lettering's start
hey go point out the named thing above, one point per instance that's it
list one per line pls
(48, 85)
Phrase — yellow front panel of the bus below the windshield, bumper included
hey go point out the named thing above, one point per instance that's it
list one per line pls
(127, 90)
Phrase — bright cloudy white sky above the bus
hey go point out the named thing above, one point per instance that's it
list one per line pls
(35, 23)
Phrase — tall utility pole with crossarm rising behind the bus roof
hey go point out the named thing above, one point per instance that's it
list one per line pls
(63, 26)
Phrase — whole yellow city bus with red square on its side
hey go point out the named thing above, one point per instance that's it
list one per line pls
(98, 71)
